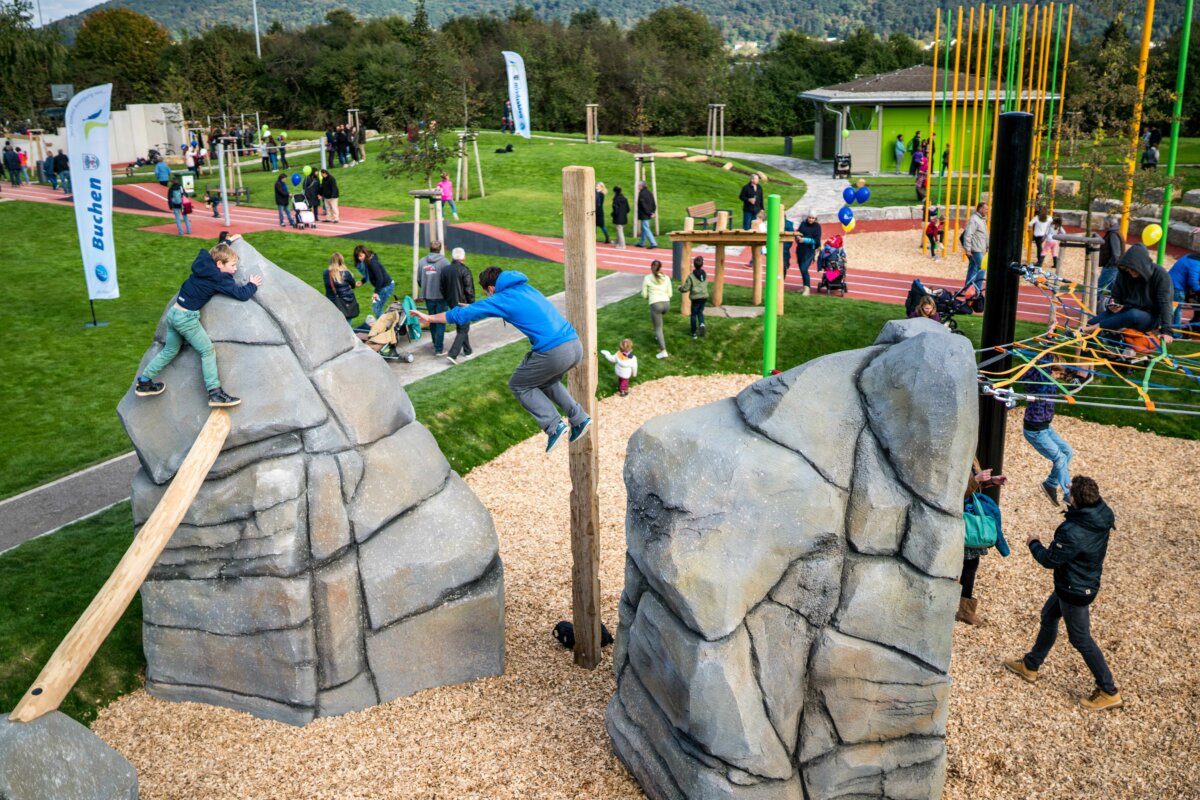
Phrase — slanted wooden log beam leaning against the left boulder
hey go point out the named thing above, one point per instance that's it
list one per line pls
(80, 646)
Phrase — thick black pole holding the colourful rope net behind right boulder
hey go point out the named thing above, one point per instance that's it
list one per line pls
(1010, 193)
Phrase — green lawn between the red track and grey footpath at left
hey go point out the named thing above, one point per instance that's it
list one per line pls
(63, 381)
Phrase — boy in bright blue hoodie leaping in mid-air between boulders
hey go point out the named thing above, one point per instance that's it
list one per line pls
(555, 348)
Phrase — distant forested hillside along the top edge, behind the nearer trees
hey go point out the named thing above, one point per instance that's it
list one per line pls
(739, 20)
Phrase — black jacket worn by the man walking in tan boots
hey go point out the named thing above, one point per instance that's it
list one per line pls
(1077, 554)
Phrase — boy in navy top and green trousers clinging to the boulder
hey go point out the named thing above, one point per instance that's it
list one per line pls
(212, 274)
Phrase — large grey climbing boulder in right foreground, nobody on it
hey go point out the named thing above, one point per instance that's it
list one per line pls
(790, 585)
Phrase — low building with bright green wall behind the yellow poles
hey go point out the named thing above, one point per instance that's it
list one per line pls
(863, 117)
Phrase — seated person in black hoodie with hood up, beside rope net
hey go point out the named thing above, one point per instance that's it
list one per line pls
(1143, 298)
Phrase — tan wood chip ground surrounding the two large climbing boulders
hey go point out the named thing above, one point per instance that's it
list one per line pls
(538, 731)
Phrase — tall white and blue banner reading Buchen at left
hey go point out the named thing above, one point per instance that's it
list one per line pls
(92, 187)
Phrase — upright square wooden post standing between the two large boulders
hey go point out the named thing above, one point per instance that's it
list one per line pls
(580, 272)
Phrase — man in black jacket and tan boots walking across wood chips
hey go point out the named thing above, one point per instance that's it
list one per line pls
(1077, 557)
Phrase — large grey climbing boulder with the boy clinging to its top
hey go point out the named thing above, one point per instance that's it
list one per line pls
(333, 561)
